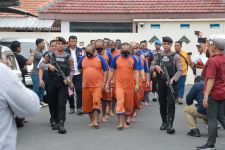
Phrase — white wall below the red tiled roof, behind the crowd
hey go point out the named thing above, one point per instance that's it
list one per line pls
(146, 33)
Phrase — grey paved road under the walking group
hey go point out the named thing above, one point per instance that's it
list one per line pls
(143, 135)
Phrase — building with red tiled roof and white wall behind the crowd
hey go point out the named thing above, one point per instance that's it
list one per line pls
(133, 20)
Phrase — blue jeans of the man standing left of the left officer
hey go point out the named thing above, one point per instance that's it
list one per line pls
(36, 88)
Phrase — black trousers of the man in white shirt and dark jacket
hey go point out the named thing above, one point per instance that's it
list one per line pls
(77, 81)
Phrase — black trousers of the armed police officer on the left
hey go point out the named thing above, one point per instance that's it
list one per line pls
(58, 93)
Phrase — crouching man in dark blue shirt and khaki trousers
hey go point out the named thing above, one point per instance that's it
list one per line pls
(193, 111)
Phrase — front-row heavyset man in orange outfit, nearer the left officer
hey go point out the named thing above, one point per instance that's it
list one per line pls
(92, 66)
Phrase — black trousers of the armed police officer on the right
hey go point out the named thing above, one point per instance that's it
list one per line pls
(166, 102)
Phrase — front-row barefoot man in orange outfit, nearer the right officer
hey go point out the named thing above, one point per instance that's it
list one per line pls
(124, 66)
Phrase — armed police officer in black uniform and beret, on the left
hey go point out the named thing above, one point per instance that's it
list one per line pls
(58, 87)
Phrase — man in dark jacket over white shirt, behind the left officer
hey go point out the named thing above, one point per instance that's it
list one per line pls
(76, 54)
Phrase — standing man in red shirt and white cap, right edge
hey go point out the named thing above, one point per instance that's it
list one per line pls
(214, 89)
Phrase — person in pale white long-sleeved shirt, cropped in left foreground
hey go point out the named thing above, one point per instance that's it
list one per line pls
(15, 100)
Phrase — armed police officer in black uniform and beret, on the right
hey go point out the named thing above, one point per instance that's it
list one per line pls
(166, 101)
